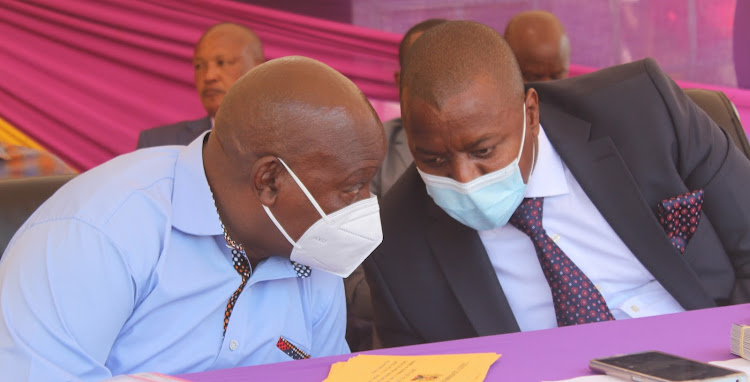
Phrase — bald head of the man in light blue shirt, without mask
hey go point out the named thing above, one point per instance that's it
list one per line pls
(302, 112)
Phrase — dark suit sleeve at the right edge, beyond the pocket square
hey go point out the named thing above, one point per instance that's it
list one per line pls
(709, 159)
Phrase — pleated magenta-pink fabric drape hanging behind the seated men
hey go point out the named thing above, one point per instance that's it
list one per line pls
(83, 78)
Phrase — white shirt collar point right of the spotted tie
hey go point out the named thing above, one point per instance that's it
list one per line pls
(548, 176)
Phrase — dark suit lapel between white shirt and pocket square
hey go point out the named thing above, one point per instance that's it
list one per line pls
(607, 181)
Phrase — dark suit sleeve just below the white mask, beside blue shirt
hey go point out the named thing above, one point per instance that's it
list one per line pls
(390, 326)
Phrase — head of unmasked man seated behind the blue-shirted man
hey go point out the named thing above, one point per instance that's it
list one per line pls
(225, 52)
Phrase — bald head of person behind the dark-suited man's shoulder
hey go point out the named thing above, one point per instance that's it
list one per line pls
(541, 46)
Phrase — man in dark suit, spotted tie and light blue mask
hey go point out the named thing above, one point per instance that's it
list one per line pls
(601, 197)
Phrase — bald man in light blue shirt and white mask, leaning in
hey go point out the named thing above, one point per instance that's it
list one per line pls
(177, 259)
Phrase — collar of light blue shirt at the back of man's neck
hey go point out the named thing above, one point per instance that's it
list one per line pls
(194, 210)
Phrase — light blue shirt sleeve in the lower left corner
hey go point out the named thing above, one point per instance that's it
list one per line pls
(65, 293)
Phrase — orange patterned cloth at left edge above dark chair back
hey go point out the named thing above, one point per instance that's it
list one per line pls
(21, 162)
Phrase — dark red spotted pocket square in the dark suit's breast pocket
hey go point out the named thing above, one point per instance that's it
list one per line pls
(679, 216)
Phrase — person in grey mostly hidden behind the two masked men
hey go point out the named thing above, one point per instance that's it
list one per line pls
(397, 160)
